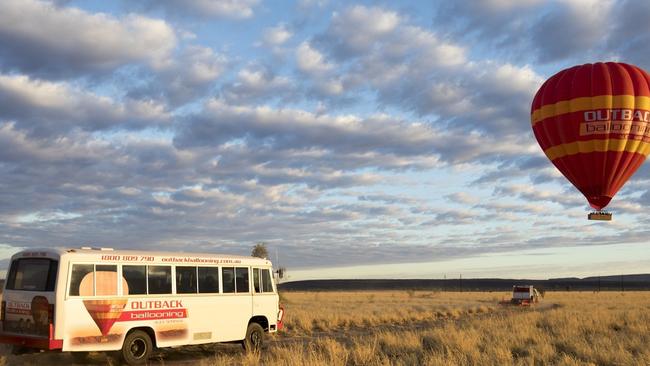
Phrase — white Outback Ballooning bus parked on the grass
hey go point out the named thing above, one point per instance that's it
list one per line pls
(100, 299)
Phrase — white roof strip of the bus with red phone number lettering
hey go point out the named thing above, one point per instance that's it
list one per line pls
(121, 256)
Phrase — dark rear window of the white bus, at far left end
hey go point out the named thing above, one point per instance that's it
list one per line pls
(32, 274)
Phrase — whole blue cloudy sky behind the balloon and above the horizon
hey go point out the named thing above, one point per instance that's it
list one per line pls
(357, 139)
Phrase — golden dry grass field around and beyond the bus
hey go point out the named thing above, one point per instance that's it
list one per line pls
(436, 328)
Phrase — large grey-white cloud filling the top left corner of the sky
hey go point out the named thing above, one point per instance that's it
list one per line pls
(43, 39)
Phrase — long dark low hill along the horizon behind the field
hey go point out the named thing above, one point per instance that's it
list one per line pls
(604, 283)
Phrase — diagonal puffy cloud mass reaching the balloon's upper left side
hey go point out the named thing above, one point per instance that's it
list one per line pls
(414, 69)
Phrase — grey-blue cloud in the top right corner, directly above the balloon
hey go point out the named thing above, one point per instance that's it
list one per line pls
(568, 31)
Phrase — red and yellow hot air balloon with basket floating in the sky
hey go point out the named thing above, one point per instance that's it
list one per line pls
(593, 122)
